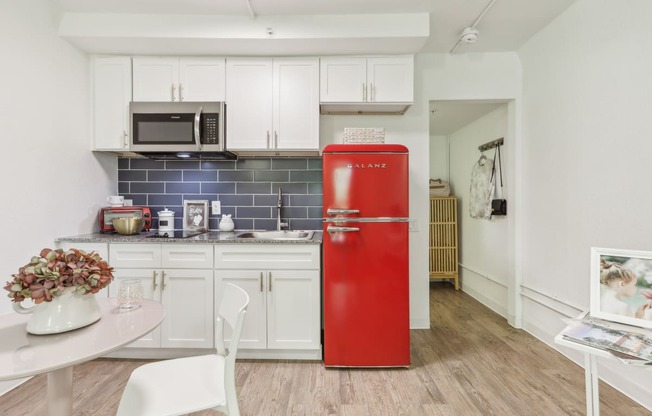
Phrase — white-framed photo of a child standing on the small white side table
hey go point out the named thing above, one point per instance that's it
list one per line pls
(621, 286)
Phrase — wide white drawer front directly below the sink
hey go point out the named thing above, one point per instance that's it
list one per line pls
(266, 256)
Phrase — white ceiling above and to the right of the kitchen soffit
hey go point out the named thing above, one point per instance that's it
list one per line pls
(505, 26)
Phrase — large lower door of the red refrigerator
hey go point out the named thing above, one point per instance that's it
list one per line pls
(366, 295)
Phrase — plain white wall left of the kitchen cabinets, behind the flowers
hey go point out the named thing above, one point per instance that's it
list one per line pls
(52, 185)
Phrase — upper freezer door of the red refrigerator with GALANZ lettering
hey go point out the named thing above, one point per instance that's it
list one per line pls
(372, 184)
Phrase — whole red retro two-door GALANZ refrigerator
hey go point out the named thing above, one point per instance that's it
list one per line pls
(366, 264)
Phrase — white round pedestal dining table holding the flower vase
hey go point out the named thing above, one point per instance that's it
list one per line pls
(23, 354)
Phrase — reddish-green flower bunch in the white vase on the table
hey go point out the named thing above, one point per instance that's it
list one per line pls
(48, 274)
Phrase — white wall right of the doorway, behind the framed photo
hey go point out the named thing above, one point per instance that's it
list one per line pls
(586, 159)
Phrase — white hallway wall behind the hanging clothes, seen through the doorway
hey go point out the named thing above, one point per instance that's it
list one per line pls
(483, 254)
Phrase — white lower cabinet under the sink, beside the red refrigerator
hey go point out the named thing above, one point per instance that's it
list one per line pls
(283, 282)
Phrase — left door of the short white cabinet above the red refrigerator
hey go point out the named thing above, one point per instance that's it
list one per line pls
(343, 80)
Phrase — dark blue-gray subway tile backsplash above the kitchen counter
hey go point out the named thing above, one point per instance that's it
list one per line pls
(247, 189)
